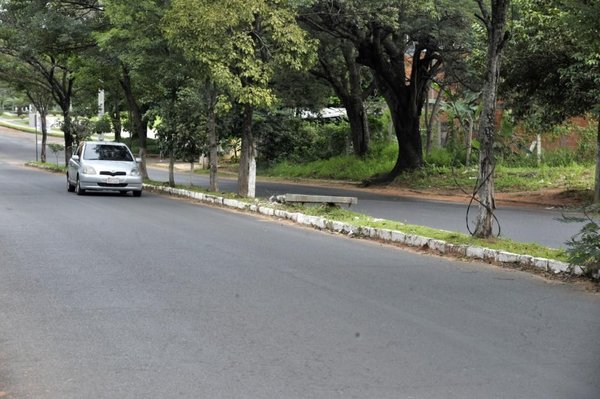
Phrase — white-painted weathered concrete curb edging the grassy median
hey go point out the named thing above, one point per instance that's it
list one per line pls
(385, 235)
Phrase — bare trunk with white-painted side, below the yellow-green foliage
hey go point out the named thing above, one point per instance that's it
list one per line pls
(247, 171)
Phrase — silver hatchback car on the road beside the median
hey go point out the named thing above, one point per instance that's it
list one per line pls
(104, 166)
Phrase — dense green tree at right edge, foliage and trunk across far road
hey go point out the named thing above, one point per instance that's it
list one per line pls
(552, 86)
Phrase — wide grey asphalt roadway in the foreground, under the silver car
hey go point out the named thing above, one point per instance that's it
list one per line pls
(104, 296)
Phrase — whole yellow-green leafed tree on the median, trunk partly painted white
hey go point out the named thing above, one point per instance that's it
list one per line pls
(241, 43)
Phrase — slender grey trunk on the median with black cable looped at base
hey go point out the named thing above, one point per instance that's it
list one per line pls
(487, 123)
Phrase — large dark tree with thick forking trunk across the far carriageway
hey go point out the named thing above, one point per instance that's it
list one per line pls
(405, 44)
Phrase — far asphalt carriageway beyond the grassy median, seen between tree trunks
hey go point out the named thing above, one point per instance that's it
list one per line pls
(520, 224)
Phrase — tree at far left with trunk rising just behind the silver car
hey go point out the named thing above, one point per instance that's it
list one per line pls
(48, 35)
